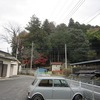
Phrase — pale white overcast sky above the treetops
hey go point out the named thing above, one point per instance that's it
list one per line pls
(59, 11)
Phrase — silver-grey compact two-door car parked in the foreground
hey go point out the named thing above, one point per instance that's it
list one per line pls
(53, 88)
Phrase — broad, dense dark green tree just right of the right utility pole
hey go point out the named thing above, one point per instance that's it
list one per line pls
(78, 45)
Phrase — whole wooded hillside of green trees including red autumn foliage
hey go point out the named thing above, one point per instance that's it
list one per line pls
(83, 42)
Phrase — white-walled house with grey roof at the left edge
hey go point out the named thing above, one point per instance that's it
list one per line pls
(8, 65)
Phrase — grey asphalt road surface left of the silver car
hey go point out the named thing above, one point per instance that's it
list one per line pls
(15, 88)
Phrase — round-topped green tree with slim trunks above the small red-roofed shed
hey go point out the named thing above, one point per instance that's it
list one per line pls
(57, 41)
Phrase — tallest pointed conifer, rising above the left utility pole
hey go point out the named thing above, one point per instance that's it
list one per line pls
(38, 34)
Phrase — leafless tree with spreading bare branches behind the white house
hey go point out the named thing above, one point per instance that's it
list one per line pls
(11, 36)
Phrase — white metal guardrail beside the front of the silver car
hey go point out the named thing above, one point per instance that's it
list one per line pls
(91, 91)
